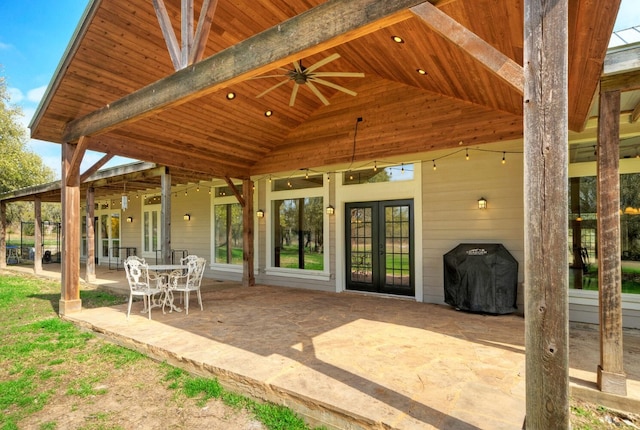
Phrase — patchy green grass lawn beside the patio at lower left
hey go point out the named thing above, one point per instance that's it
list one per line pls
(47, 361)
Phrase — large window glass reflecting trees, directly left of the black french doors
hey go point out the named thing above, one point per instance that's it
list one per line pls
(298, 227)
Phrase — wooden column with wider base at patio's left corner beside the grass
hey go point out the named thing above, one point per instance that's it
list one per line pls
(70, 196)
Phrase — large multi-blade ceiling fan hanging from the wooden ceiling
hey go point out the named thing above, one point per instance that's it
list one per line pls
(308, 76)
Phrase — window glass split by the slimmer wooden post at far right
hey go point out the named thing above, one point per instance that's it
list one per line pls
(583, 273)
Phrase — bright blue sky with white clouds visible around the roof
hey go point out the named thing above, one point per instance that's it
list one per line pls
(34, 35)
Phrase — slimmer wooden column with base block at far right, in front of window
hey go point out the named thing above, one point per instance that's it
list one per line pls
(611, 376)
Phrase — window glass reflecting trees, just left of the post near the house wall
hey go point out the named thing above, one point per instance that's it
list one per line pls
(228, 233)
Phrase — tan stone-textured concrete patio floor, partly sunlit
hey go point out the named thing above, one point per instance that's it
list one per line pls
(353, 361)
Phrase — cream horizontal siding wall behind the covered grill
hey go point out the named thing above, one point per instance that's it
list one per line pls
(450, 208)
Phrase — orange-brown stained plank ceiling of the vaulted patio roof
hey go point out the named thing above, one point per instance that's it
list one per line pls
(120, 49)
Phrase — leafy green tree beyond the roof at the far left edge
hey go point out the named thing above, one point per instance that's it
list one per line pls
(19, 167)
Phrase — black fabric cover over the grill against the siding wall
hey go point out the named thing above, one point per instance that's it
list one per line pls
(481, 277)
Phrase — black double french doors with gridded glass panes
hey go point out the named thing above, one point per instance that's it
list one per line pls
(379, 247)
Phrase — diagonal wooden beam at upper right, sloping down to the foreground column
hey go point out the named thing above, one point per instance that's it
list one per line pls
(488, 56)
